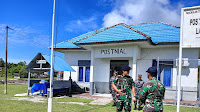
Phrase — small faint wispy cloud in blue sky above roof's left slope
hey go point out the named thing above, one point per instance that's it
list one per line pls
(82, 25)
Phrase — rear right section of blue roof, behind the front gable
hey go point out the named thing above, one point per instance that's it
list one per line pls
(159, 32)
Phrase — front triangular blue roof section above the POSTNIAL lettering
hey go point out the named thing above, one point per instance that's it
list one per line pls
(119, 32)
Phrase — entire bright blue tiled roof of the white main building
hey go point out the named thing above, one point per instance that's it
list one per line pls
(155, 33)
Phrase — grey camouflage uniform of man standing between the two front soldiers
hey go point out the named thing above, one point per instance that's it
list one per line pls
(138, 87)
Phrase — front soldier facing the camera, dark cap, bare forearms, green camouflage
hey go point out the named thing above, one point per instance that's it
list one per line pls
(123, 85)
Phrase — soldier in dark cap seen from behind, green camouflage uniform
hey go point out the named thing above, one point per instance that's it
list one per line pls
(152, 92)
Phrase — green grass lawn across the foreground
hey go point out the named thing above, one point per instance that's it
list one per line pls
(7, 105)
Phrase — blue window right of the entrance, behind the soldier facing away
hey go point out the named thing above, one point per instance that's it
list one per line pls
(164, 71)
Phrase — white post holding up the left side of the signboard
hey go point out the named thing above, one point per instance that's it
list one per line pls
(180, 64)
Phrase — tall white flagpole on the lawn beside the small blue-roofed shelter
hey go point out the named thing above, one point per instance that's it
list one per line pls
(51, 74)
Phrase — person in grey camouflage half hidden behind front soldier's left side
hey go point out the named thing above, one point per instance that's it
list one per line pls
(111, 90)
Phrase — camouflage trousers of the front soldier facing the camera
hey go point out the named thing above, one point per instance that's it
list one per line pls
(125, 103)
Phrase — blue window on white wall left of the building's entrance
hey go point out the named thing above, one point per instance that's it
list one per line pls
(84, 70)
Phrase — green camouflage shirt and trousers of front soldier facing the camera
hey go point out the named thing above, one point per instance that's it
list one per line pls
(124, 83)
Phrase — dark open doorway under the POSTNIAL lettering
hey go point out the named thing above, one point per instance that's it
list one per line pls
(116, 65)
